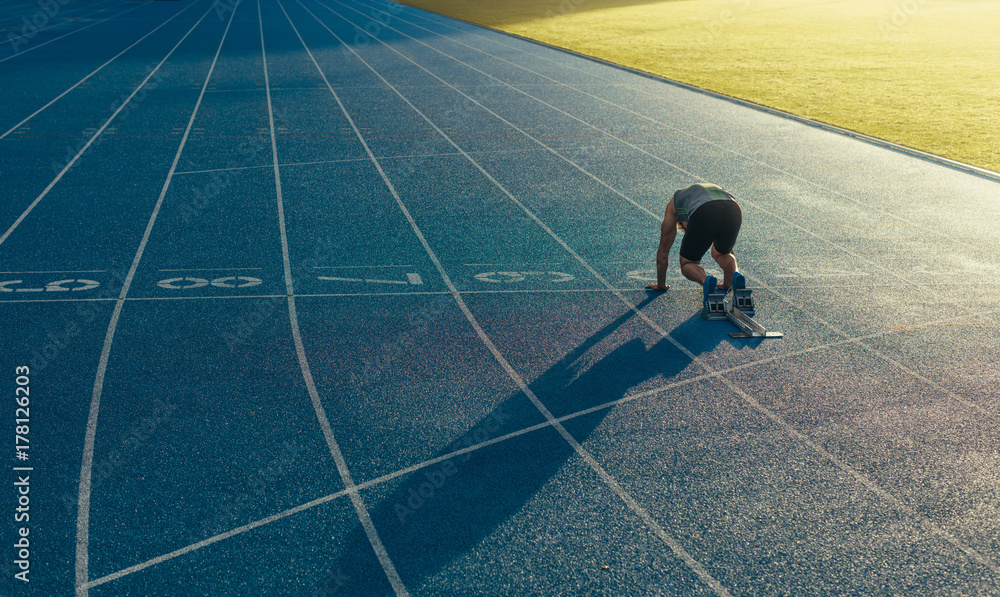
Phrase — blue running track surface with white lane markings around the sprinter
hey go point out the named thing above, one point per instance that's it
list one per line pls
(341, 297)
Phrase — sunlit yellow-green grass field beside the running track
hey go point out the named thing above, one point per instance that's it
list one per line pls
(920, 73)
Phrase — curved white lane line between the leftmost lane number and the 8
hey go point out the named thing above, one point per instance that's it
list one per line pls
(86, 467)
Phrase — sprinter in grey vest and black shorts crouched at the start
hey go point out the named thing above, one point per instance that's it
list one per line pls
(709, 217)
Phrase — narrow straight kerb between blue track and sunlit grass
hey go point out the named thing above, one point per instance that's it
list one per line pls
(969, 169)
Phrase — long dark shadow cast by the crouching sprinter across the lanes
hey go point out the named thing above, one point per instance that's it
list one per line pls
(453, 508)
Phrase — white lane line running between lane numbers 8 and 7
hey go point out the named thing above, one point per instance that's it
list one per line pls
(359, 505)
